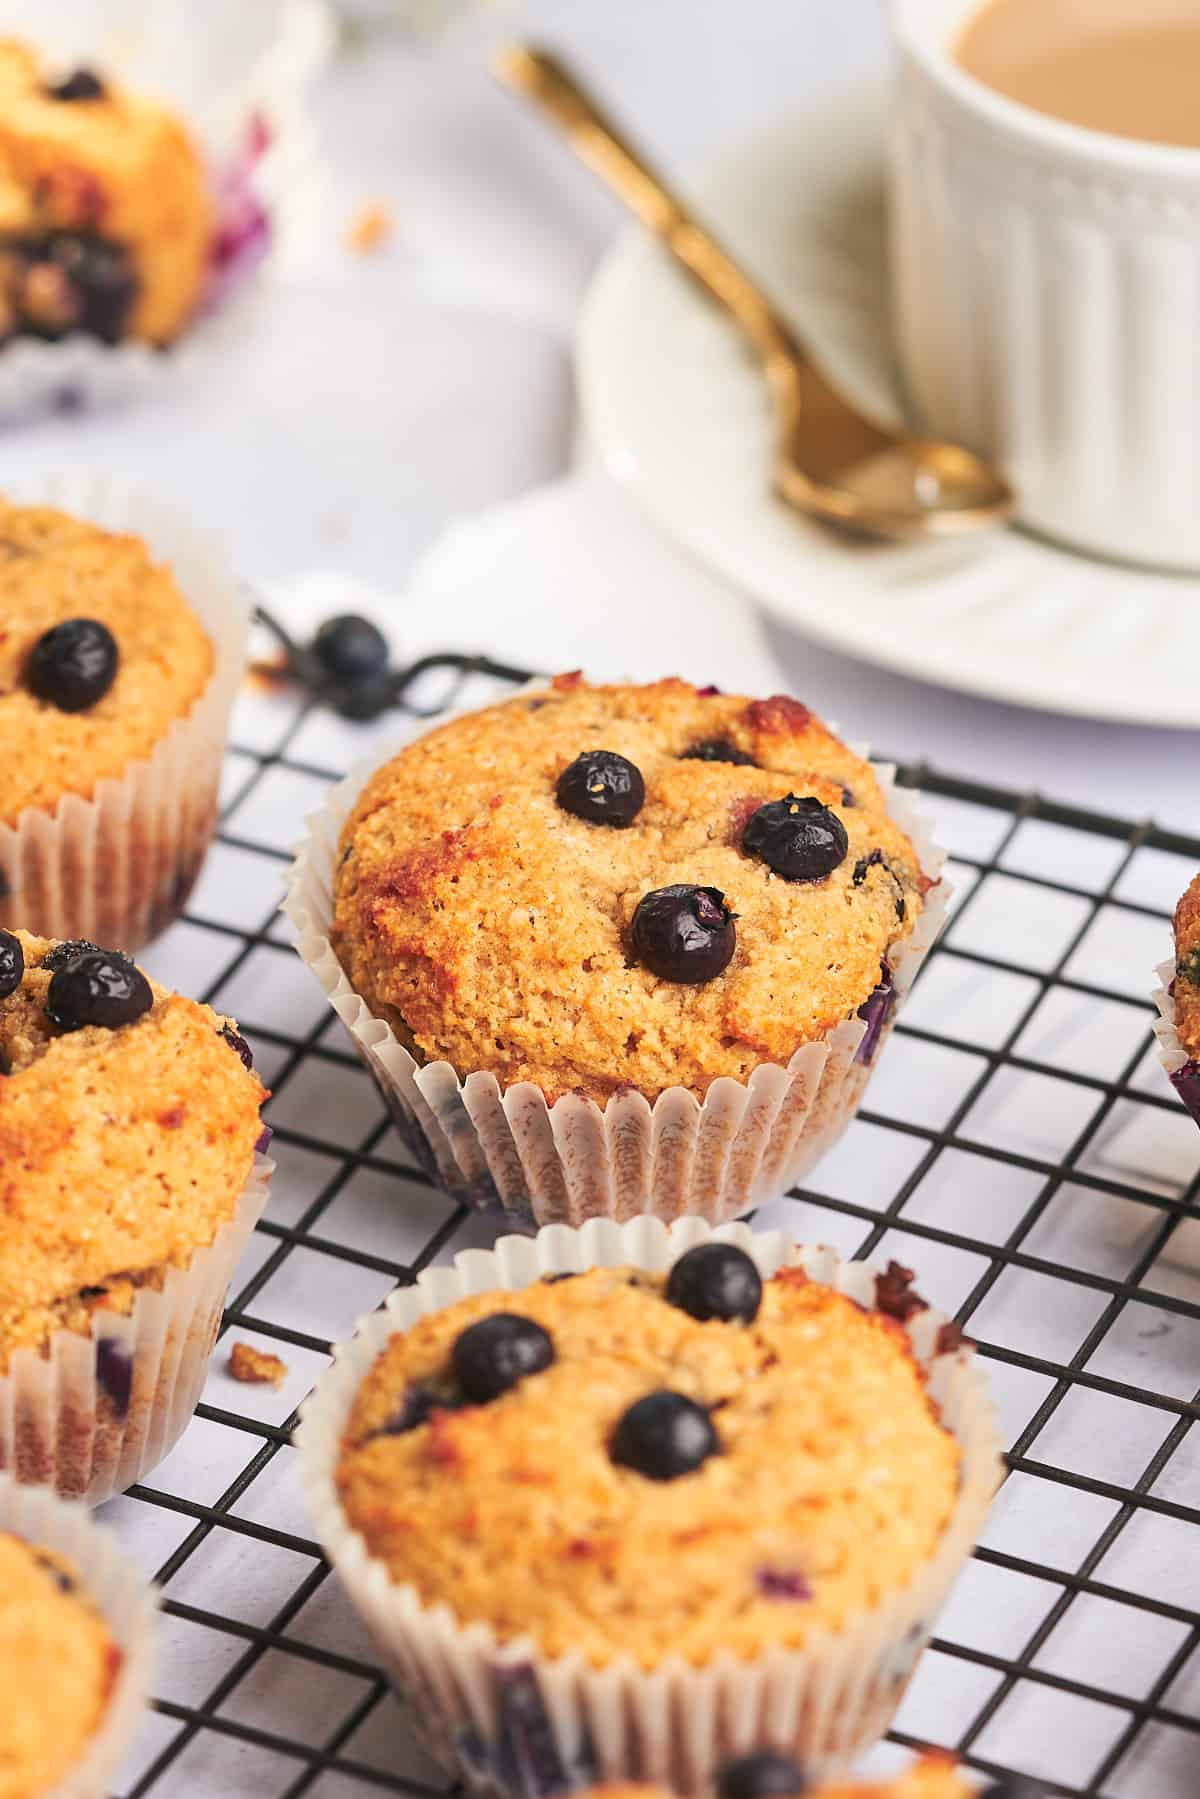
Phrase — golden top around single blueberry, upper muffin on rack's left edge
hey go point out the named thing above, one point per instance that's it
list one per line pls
(53, 569)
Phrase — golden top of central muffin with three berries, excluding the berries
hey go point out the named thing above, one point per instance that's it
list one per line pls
(494, 929)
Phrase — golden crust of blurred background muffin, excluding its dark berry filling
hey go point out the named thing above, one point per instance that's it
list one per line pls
(121, 168)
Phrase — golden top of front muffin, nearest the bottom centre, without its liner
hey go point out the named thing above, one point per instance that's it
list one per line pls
(830, 1485)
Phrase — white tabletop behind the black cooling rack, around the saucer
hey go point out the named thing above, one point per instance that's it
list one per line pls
(381, 400)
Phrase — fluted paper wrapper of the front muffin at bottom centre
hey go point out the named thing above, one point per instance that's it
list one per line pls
(517, 1723)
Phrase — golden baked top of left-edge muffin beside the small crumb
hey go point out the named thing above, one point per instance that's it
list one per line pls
(121, 1152)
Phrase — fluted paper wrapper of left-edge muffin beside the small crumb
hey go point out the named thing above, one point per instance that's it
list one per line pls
(93, 1415)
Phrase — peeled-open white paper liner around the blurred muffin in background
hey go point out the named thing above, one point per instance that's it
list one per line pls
(238, 76)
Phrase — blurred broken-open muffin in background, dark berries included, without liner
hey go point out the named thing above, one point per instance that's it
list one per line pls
(105, 210)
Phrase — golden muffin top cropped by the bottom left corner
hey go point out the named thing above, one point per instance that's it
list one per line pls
(60, 1667)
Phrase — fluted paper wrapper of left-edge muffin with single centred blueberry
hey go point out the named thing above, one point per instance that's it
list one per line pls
(118, 868)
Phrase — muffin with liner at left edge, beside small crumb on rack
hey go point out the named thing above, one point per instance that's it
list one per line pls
(129, 1132)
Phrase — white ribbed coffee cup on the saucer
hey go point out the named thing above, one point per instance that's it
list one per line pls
(1046, 289)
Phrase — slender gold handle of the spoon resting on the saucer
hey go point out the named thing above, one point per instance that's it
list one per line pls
(607, 152)
